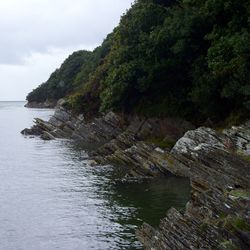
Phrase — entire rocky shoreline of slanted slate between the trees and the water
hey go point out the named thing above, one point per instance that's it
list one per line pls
(217, 163)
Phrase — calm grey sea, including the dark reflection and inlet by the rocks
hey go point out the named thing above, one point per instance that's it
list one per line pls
(50, 198)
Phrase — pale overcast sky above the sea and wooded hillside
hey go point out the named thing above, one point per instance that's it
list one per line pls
(37, 35)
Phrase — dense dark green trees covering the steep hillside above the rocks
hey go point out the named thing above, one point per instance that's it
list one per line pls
(165, 58)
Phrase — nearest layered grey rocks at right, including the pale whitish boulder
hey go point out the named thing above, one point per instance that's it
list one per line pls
(218, 214)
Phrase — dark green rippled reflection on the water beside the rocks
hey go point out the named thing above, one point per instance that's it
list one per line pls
(127, 205)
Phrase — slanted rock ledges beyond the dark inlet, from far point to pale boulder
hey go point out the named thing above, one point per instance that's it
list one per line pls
(115, 139)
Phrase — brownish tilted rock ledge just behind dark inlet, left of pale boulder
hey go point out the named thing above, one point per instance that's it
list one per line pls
(130, 149)
